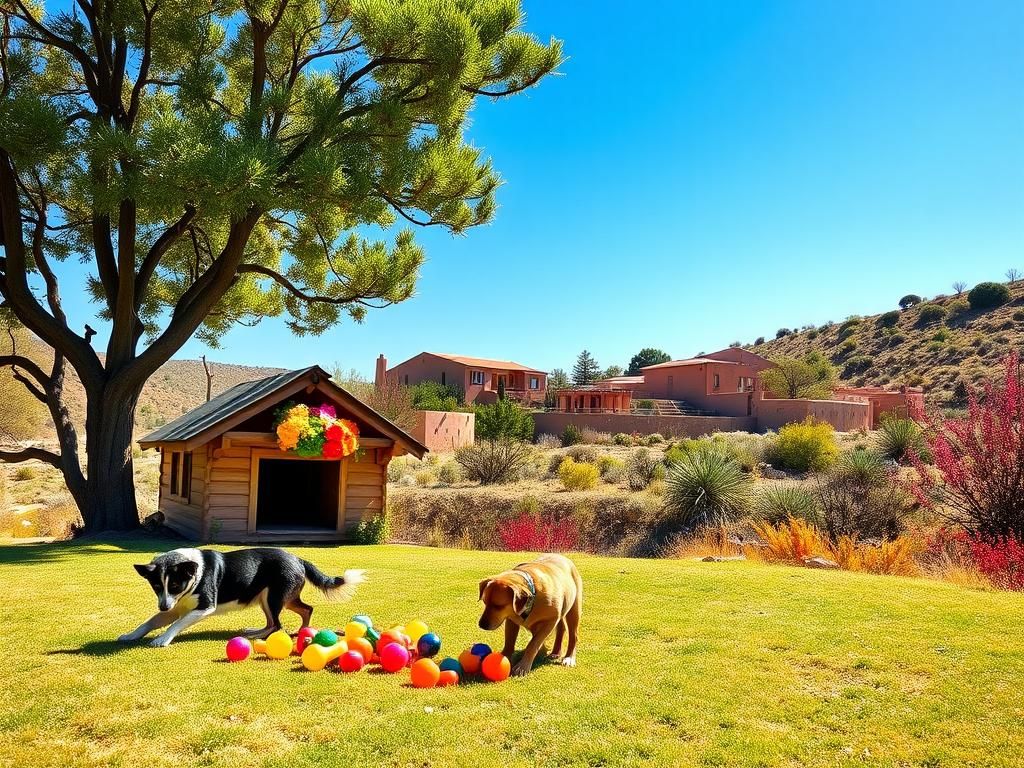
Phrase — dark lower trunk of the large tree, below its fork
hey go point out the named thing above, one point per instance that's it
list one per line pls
(110, 499)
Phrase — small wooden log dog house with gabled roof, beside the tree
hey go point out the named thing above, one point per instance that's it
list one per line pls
(224, 479)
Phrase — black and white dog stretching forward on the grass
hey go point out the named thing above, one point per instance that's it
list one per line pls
(194, 584)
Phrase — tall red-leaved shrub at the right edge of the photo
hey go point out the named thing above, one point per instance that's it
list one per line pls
(978, 480)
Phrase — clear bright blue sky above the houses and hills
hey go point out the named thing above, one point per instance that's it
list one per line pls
(705, 173)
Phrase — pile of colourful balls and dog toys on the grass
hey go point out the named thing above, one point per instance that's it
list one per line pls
(413, 647)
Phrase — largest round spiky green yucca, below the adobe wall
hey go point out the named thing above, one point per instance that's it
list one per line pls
(707, 488)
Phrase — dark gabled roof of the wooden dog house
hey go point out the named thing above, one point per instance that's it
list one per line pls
(207, 420)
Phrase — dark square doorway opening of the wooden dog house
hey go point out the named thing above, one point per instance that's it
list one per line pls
(297, 495)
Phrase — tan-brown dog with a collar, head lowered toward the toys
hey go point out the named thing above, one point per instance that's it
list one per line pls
(543, 595)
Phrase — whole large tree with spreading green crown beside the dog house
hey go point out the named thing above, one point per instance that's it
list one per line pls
(218, 163)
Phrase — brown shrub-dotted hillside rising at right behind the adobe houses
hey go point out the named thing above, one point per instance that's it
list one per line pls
(962, 347)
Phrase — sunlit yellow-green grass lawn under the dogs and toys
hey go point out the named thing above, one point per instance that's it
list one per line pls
(681, 664)
